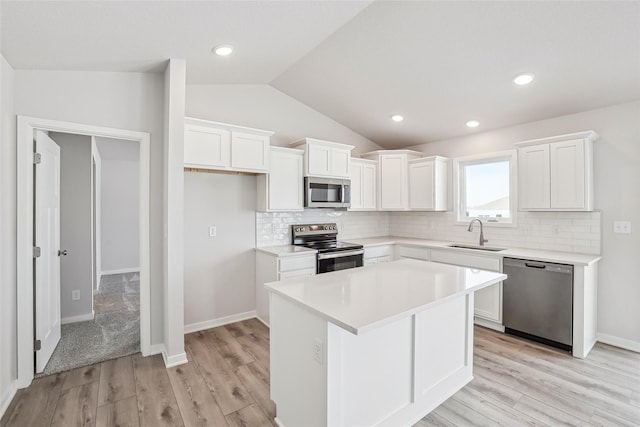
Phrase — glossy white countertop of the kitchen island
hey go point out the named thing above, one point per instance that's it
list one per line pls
(361, 299)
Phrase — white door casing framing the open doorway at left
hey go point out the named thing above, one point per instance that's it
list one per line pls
(25, 296)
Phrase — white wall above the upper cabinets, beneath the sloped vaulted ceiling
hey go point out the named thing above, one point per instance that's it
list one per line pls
(264, 107)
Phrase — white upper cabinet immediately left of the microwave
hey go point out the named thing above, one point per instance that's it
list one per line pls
(282, 188)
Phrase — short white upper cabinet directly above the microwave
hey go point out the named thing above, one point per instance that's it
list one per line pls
(324, 158)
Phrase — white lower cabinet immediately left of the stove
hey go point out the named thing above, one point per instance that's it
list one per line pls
(271, 267)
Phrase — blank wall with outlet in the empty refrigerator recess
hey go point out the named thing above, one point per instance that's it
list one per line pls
(219, 272)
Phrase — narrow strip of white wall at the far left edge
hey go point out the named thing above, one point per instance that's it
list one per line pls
(8, 332)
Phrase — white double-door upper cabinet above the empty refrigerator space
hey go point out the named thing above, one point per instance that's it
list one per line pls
(221, 146)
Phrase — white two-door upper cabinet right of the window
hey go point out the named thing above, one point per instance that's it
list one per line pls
(556, 174)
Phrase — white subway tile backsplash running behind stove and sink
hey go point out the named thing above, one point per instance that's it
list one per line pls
(578, 232)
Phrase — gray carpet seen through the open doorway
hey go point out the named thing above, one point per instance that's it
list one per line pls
(114, 332)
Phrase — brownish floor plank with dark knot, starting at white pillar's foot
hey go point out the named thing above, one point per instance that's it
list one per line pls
(157, 404)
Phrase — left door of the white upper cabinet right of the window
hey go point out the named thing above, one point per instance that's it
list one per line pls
(533, 166)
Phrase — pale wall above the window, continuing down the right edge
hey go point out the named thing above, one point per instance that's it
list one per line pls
(617, 174)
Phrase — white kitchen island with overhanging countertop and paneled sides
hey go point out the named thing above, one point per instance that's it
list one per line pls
(379, 345)
